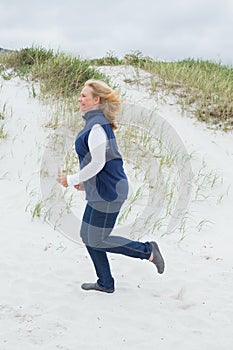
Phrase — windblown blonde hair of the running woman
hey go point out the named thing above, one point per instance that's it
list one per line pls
(109, 100)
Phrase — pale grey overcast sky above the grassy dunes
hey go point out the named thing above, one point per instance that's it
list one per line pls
(163, 29)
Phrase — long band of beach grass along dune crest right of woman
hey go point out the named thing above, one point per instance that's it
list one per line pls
(204, 87)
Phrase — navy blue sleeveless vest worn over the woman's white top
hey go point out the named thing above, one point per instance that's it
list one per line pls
(111, 183)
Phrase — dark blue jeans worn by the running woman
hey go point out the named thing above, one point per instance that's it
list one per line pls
(98, 221)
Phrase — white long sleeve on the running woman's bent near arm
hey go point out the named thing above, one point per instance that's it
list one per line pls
(97, 143)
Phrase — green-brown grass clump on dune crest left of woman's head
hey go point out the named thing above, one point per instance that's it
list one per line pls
(58, 74)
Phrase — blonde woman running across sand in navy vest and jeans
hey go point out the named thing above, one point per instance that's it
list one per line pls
(103, 178)
